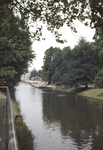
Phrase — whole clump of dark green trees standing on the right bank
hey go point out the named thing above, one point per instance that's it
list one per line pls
(72, 66)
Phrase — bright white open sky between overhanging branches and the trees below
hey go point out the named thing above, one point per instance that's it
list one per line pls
(72, 39)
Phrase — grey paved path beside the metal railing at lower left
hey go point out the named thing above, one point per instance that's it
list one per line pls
(2, 124)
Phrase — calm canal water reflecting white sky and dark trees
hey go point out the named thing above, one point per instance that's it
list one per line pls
(61, 121)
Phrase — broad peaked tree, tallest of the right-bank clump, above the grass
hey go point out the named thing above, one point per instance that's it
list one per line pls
(82, 66)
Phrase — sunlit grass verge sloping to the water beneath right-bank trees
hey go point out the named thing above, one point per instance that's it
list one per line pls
(87, 92)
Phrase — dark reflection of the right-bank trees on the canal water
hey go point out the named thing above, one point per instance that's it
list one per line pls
(80, 118)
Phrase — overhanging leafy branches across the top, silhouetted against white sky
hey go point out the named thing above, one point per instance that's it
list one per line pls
(55, 13)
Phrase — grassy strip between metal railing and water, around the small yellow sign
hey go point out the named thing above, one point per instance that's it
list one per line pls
(24, 135)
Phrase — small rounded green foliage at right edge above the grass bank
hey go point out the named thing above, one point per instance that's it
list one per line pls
(99, 79)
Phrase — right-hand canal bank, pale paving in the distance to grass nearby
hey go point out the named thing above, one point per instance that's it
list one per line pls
(90, 92)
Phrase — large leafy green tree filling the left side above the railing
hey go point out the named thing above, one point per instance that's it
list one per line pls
(15, 48)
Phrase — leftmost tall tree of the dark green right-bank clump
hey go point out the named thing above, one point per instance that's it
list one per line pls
(52, 65)
